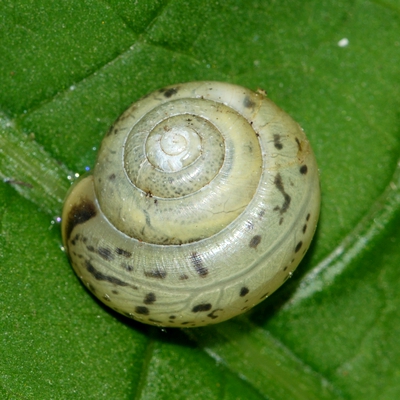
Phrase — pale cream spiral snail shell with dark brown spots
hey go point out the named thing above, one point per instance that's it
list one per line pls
(203, 200)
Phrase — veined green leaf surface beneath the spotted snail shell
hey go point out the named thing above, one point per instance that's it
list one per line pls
(68, 69)
